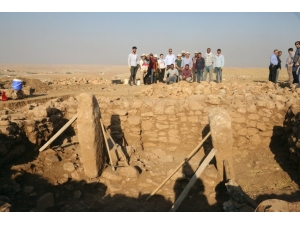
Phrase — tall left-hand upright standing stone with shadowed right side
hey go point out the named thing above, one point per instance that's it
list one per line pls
(90, 135)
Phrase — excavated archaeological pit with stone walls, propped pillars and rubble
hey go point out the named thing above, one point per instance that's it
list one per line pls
(94, 146)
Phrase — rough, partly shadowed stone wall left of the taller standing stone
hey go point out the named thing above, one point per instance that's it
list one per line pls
(28, 128)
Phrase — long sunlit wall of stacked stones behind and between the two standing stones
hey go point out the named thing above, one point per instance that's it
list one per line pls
(174, 117)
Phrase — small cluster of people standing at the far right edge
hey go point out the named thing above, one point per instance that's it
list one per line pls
(292, 65)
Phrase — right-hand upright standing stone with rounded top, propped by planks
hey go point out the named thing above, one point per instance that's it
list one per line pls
(222, 139)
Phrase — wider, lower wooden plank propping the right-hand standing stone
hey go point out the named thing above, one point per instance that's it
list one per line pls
(193, 180)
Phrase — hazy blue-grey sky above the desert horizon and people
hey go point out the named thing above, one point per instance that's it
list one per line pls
(246, 39)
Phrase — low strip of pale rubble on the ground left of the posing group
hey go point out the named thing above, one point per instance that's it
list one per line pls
(78, 81)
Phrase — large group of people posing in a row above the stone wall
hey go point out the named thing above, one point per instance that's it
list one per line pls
(171, 69)
